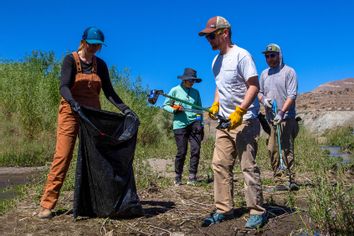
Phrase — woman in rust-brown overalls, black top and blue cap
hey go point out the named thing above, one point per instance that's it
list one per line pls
(82, 77)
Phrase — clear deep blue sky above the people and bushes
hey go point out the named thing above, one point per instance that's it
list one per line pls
(158, 39)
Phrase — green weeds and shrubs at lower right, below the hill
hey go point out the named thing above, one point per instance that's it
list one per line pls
(330, 200)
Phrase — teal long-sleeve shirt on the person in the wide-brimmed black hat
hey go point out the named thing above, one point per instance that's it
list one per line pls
(183, 118)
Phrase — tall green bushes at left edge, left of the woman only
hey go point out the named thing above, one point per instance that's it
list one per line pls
(29, 97)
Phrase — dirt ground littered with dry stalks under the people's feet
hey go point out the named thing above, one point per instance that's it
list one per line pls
(172, 211)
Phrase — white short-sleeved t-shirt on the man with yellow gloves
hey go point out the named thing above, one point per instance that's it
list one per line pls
(231, 72)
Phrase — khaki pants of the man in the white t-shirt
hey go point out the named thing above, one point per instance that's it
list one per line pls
(240, 143)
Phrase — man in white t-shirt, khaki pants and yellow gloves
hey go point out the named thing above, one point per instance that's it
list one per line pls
(236, 89)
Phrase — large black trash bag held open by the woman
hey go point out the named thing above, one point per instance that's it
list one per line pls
(105, 184)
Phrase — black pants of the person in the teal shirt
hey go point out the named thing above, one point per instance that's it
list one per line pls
(194, 134)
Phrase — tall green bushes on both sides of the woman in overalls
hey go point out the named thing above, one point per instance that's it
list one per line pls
(29, 102)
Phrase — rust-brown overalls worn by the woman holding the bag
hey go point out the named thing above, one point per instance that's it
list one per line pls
(85, 91)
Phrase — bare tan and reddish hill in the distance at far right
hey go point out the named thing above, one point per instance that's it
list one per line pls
(328, 106)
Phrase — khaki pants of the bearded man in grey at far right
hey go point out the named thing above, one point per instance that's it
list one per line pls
(288, 132)
